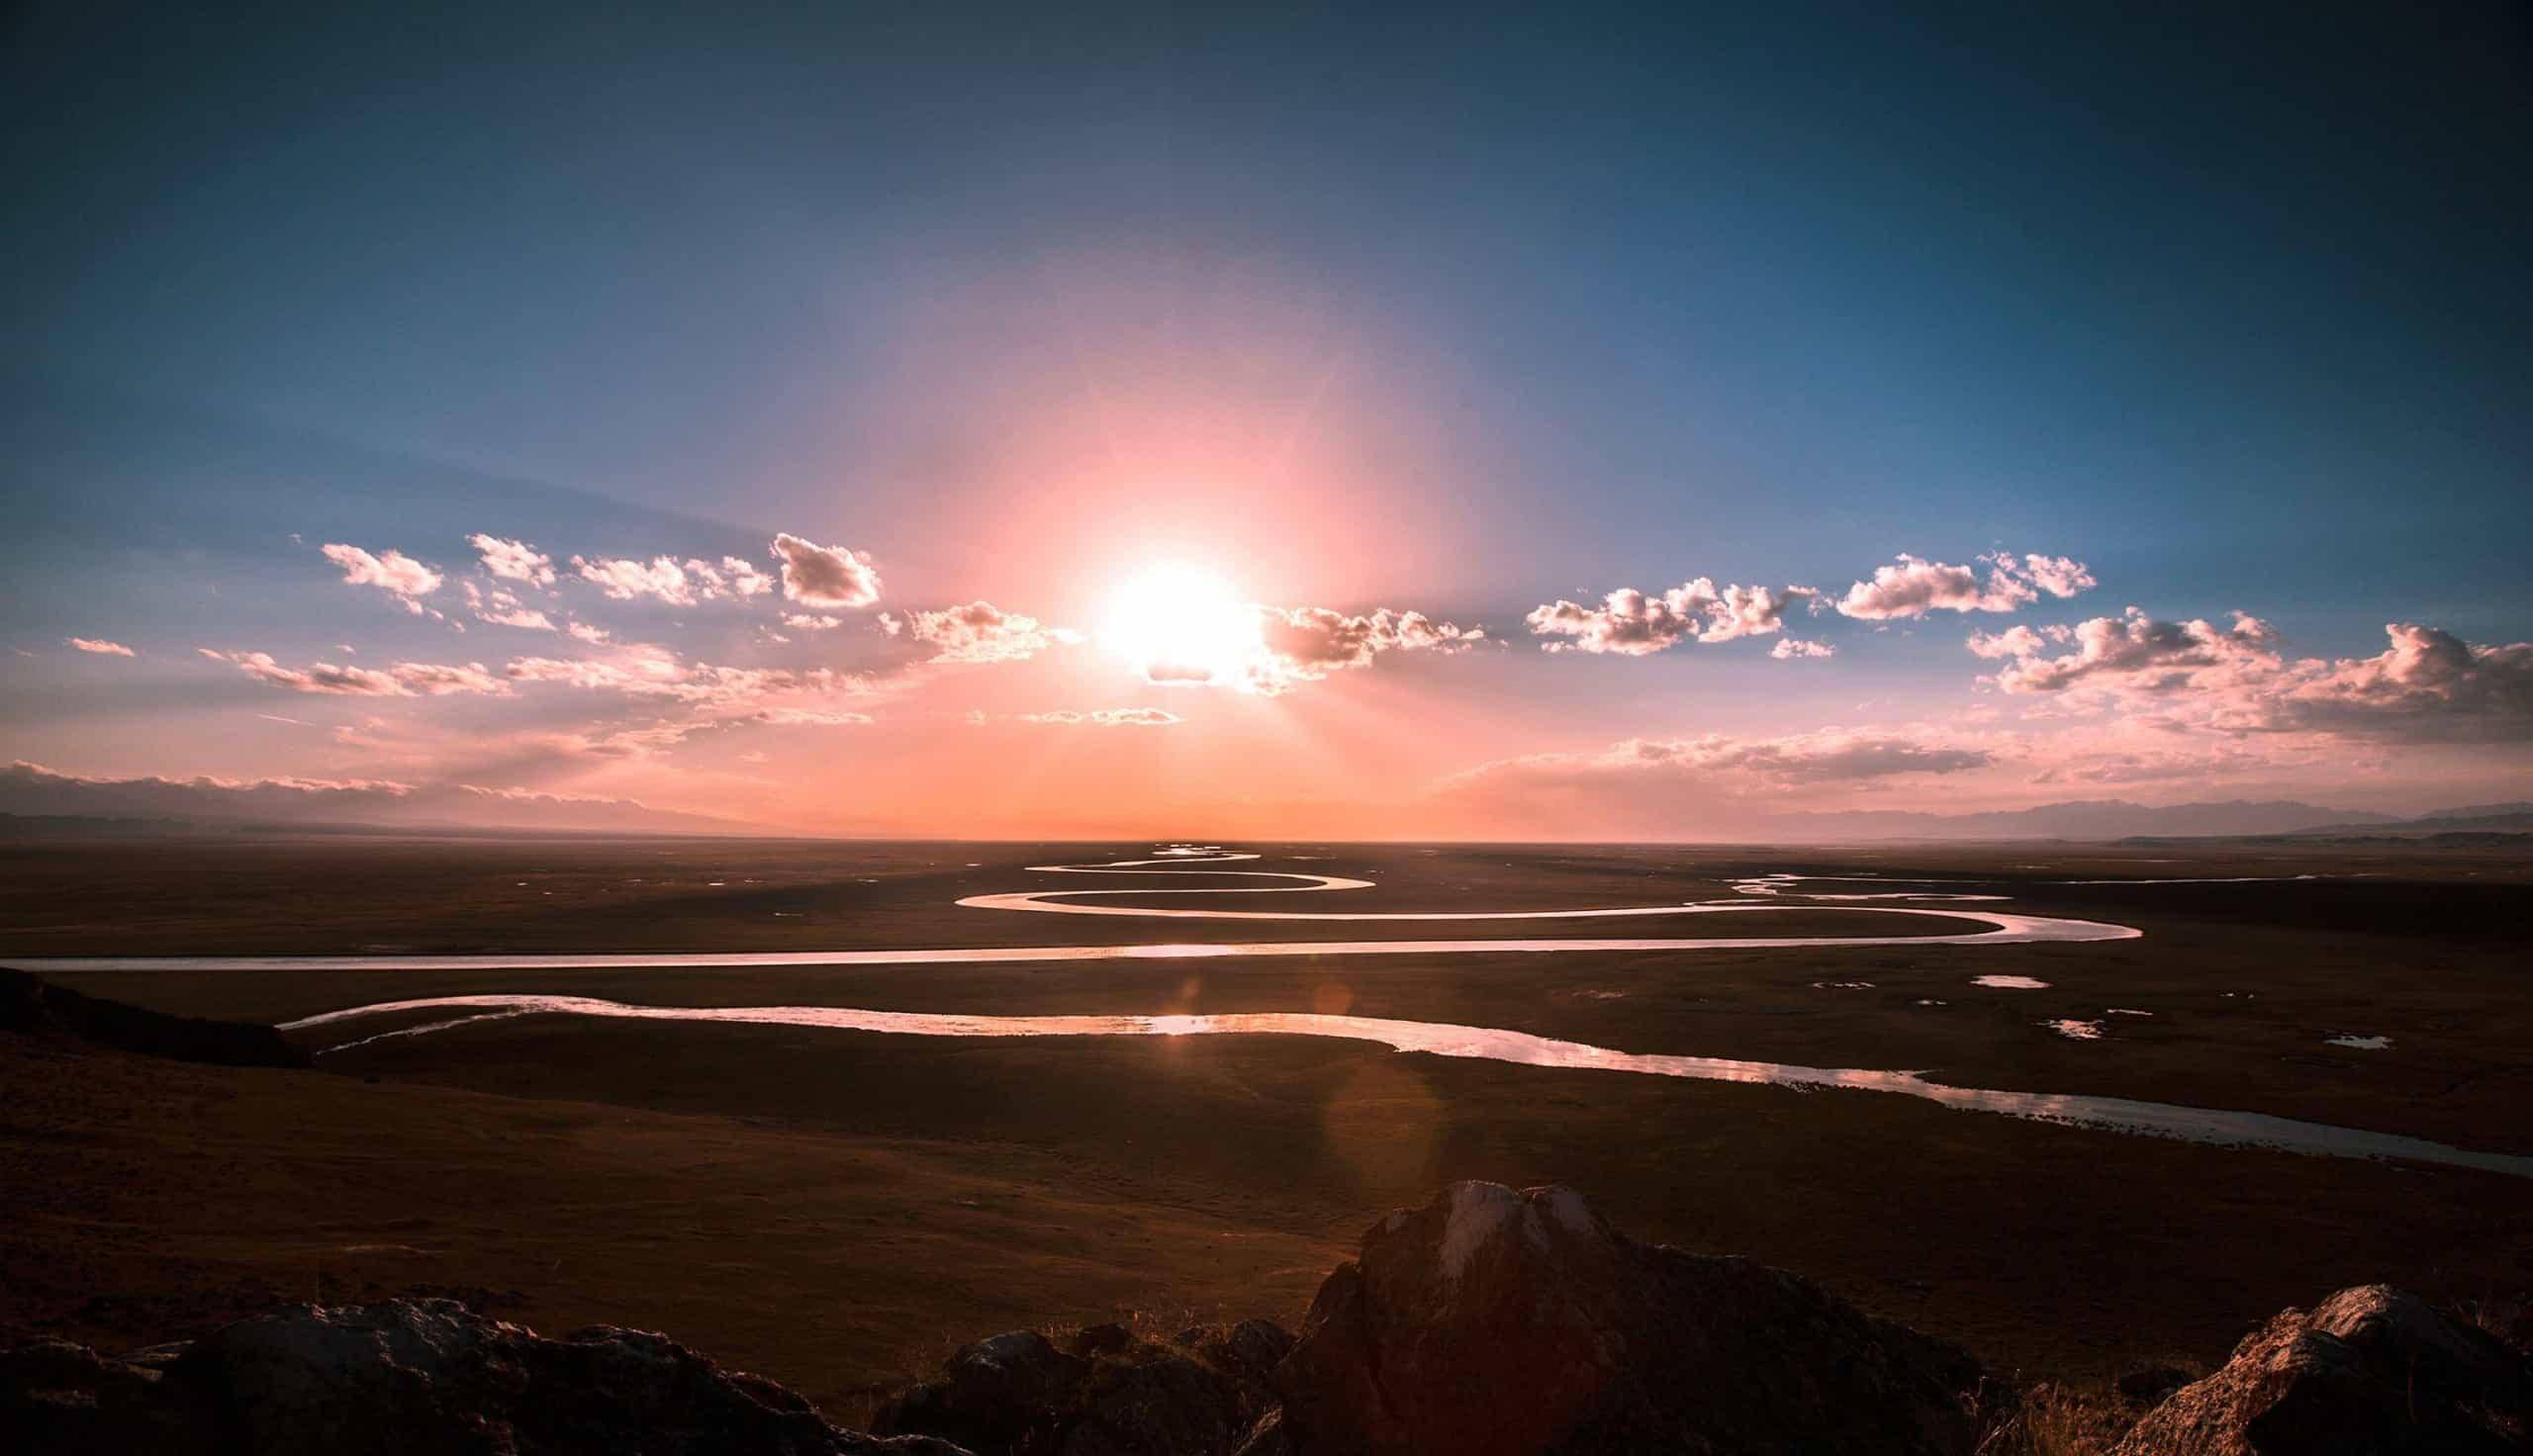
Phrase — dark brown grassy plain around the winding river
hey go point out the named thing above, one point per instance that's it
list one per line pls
(837, 1207)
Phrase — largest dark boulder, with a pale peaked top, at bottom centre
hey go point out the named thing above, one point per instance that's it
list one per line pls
(1498, 1323)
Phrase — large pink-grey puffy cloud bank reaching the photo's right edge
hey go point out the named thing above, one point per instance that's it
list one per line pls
(2428, 685)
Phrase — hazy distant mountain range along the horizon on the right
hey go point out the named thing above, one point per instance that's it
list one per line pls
(2124, 819)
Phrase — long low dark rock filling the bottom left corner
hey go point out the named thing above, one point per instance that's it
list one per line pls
(412, 1379)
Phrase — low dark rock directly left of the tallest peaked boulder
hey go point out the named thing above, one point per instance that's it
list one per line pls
(1101, 1394)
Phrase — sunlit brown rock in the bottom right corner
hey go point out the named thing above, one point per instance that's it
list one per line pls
(2370, 1369)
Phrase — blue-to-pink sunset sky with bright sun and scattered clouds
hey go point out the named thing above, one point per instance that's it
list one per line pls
(1265, 422)
